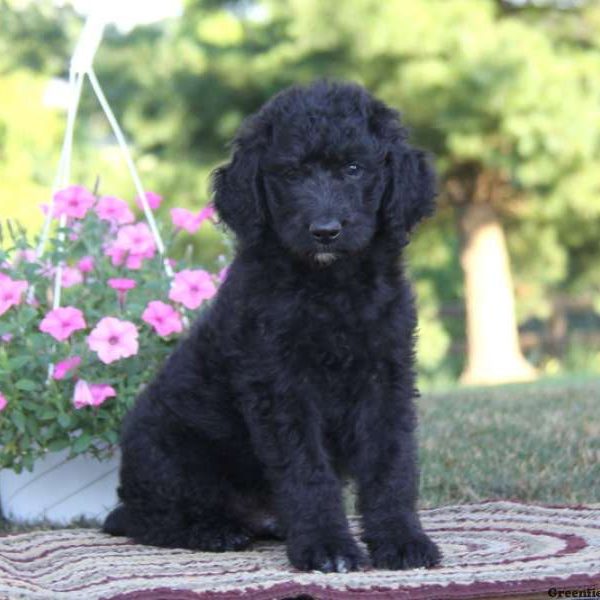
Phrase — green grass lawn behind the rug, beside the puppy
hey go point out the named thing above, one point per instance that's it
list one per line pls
(535, 442)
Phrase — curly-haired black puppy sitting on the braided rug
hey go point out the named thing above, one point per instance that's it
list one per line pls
(301, 372)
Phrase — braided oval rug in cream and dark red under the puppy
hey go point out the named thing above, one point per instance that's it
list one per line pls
(490, 549)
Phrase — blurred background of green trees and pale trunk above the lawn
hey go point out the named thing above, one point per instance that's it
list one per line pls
(504, 93)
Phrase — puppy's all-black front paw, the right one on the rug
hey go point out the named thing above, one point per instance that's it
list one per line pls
(404, 552)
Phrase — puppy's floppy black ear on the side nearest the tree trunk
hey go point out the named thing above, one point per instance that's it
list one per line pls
(411, 182)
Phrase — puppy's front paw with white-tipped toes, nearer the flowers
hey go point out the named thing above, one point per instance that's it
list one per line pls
(325, 553)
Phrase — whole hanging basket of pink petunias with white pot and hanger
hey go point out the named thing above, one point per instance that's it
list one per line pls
(86, 317)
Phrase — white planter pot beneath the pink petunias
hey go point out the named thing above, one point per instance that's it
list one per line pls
(59, 490)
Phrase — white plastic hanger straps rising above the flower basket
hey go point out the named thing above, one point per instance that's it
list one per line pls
(81, 65)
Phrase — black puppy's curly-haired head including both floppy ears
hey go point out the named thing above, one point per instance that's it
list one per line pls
(324, 168)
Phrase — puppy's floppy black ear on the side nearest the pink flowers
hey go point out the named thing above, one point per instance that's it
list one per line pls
(237, 189)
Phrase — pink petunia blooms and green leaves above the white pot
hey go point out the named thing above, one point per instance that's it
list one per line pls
(68, 374)
